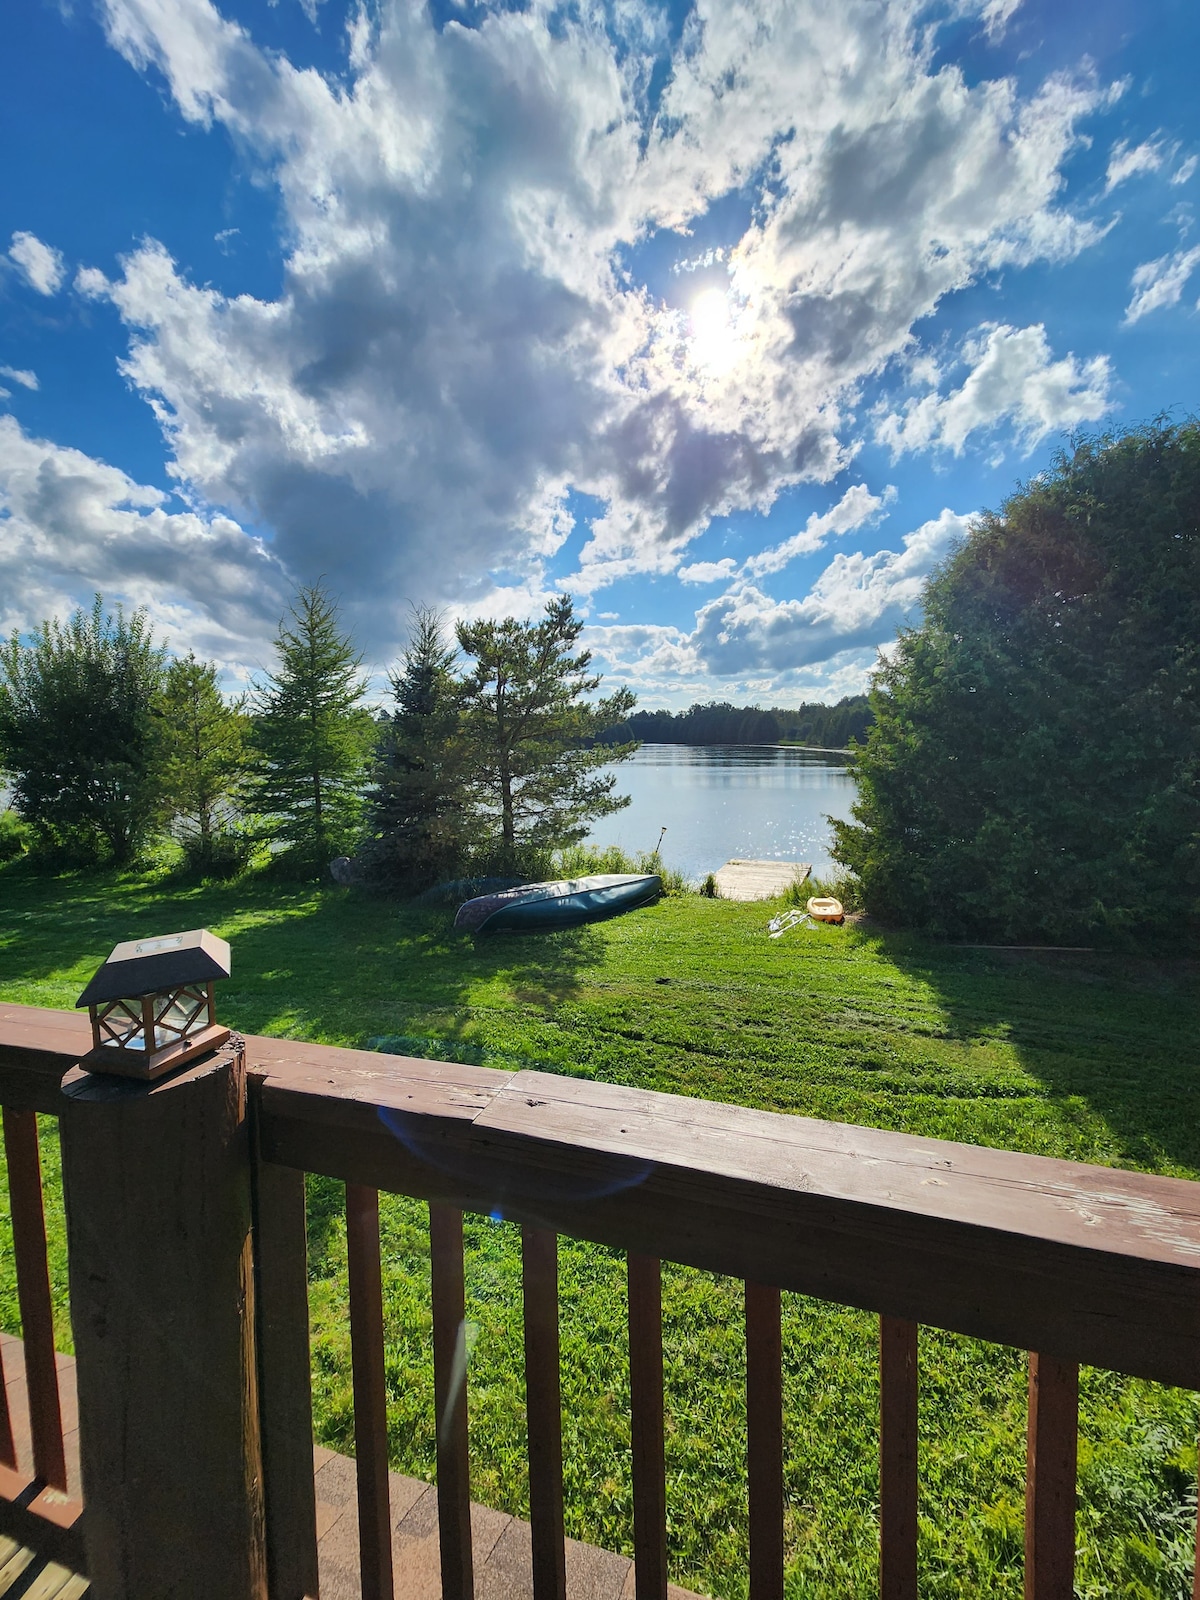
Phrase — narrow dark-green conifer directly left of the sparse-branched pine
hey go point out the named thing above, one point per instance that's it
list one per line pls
(418, 804)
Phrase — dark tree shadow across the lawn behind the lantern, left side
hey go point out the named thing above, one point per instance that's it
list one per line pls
(308, 961)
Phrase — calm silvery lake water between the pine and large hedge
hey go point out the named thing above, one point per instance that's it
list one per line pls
(724, 801)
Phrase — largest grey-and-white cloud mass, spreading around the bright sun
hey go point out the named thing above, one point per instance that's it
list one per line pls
(455, 345)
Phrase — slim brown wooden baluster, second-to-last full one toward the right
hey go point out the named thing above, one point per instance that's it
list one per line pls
(898, 1458)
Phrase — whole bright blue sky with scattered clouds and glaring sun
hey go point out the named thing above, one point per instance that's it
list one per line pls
(724, 318)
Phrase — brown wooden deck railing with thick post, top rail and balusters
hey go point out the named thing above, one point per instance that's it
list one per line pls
(1068, 1262)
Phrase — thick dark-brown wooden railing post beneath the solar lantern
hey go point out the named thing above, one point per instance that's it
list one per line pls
(162, 1295)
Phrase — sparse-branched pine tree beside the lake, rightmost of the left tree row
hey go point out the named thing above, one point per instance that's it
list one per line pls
(534, 735)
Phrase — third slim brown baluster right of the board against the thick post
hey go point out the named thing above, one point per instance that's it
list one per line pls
(543, 1409)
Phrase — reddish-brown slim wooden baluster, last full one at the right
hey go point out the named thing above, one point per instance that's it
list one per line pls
(1050, 1479)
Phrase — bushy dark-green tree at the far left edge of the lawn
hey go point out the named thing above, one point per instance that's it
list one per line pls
(79, 735)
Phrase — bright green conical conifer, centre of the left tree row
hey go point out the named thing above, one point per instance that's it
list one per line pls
(313, 737)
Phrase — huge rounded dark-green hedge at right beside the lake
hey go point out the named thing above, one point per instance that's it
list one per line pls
(1034, 767)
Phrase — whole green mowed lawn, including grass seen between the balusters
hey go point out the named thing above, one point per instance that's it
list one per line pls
(1086, 1057)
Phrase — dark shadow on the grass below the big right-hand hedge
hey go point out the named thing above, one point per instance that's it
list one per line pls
(1108, 1038)
